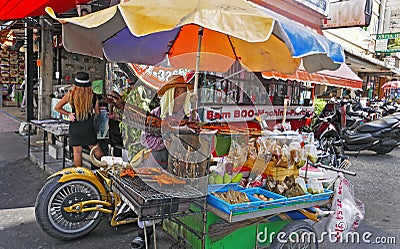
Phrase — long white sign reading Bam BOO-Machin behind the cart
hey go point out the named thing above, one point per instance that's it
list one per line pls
(235, 113)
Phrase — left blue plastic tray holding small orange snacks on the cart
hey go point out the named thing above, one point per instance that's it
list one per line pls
(216, 202)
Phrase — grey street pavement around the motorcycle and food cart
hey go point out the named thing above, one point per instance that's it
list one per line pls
(375, 185)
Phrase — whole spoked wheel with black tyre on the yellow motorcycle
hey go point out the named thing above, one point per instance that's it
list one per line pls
(50, 213)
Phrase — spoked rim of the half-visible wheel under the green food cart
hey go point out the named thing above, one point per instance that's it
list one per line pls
(296, 240)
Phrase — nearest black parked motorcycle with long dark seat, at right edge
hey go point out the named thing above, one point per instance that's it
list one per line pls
(380, 135)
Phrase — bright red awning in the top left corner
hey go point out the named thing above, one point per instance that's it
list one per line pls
(18, 9)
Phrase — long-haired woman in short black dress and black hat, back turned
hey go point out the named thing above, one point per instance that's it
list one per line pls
(84, 106)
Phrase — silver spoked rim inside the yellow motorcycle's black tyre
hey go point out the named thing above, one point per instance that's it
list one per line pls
(66, 195)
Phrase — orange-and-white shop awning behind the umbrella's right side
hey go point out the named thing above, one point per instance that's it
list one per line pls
(343, 77)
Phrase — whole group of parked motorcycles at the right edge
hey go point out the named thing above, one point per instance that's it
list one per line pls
(344, 125)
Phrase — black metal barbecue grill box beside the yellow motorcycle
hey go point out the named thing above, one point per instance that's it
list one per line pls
(149, 203)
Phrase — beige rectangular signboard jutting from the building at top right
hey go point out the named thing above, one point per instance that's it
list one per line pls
(355, 13)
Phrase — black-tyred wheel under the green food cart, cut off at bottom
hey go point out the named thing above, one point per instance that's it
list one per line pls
(294, 236)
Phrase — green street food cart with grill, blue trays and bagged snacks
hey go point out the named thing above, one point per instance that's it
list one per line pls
(199, 216)
